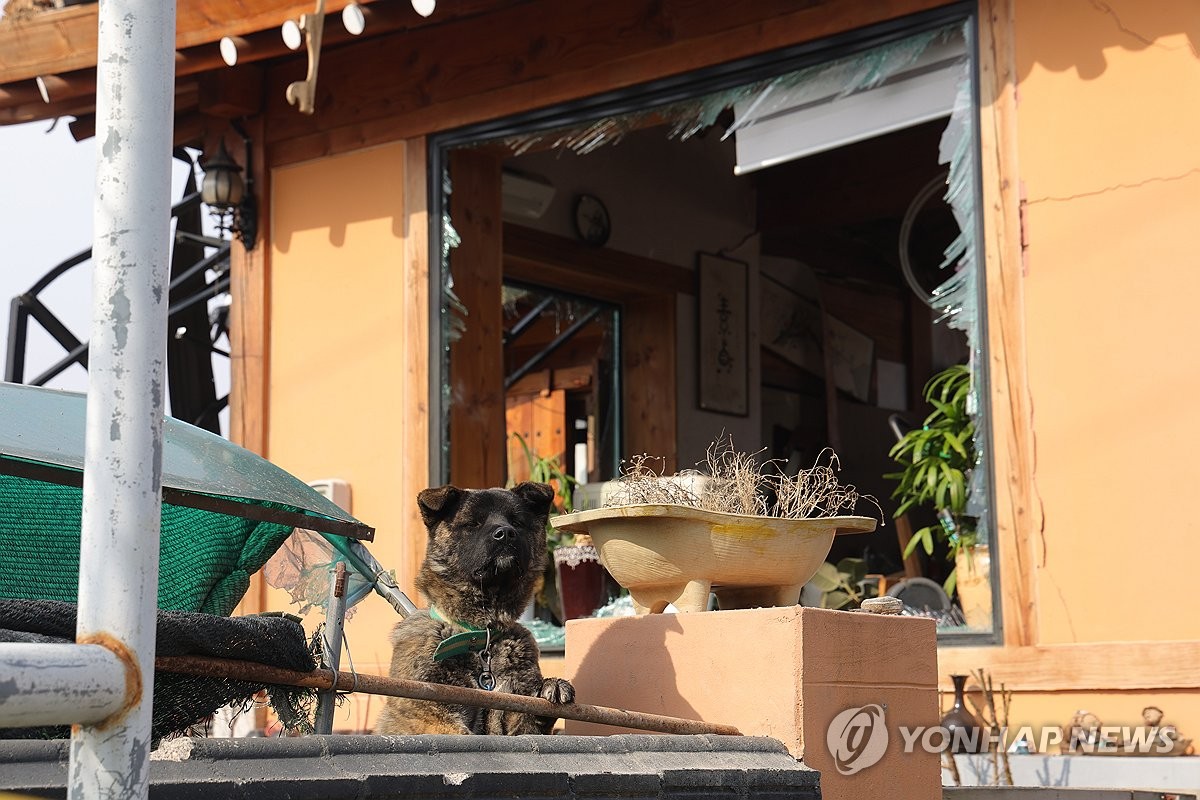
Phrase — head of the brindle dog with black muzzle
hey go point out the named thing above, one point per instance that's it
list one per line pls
(485, 550)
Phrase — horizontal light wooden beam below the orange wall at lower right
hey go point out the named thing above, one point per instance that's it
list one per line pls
(1095, 666)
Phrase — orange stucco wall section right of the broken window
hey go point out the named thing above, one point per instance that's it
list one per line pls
(1108, 129)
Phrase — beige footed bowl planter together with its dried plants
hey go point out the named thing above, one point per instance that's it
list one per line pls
(734, 528)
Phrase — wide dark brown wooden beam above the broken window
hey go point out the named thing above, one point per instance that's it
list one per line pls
(439, 79)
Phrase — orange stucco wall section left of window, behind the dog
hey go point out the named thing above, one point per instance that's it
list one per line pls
(338, 315)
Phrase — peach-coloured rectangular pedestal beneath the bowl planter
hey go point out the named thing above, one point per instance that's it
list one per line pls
(784, 673)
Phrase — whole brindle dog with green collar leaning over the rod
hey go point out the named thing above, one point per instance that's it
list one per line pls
(485, 551)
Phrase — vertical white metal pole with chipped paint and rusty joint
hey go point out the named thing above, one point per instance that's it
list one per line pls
(123, 460)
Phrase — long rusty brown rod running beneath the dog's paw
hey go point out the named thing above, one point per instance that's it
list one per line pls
(417, 690)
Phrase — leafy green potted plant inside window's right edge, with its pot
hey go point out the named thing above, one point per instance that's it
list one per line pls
(937, 461)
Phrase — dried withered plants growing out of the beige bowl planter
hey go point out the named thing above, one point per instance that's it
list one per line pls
(735, 483)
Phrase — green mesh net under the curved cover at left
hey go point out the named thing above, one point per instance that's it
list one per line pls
(206, 558)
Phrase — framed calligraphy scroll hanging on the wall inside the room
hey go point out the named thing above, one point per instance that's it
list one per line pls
(723, 328)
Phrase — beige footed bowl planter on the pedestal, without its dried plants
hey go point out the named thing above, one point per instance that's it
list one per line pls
(679, 555)
